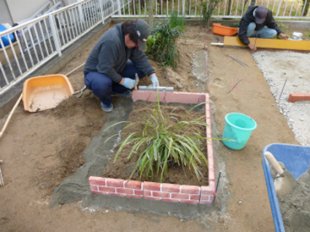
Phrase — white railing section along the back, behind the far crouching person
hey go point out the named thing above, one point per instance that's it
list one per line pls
(282, 9)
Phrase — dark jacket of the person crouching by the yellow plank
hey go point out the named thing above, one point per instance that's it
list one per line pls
(248, 18)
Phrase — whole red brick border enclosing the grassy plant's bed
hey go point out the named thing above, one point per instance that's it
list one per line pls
(162, 191)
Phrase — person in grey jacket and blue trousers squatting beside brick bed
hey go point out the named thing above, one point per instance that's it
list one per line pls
(108, 71)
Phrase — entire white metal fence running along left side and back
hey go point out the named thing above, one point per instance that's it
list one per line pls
(28, 46)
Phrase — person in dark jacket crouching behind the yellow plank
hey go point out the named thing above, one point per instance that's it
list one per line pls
(258, 22)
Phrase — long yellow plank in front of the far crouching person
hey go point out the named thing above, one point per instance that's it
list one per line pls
(270, 43)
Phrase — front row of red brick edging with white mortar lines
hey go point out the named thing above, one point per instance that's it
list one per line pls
(153, 191)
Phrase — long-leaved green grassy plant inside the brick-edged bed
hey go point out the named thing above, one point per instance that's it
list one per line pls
(158, 144)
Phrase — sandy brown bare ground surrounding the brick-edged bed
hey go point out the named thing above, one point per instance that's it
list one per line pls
(40, 149)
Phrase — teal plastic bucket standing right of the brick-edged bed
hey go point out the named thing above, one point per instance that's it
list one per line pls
(238, 127)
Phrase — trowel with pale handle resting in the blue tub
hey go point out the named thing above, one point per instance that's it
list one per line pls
(284, 182)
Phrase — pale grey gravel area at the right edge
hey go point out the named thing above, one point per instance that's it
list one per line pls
(289, 72)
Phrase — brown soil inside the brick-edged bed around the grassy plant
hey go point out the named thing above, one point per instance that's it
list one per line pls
(123, 166)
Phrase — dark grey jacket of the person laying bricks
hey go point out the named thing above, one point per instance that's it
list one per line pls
(110, 55)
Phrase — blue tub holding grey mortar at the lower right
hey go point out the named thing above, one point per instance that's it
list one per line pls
(296, 160)
